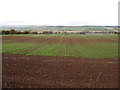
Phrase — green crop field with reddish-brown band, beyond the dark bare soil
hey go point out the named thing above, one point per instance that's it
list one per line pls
(83, 46)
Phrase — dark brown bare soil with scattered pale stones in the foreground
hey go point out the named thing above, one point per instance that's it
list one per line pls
(20, 71)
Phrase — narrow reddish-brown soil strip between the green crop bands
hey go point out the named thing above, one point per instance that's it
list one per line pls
(67, 39)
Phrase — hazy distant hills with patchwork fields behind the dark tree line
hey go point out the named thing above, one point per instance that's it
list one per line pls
(59, 28)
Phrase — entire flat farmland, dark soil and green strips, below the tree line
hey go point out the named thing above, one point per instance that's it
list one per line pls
(60, 61)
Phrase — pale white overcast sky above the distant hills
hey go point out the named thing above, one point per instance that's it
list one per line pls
(59, 12)
